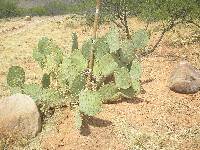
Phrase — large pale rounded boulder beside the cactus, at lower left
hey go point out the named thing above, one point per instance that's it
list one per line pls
(19, 117)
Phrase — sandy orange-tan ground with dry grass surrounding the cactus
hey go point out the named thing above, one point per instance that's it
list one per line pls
(156, 119)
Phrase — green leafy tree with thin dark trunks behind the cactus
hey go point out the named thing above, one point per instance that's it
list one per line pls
(171, 12)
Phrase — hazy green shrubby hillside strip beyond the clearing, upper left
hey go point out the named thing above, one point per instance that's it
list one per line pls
(13, 8)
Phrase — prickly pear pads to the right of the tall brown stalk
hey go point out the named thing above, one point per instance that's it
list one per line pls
(118, 59)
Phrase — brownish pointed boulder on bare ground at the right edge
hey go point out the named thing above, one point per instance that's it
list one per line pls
(185, 78)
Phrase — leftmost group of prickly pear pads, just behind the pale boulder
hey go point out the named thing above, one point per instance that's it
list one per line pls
(49, 57)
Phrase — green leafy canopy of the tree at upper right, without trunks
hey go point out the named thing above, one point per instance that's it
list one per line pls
(154, 10)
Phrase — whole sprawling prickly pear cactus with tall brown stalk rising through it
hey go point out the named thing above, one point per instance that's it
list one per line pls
(103, 70)
